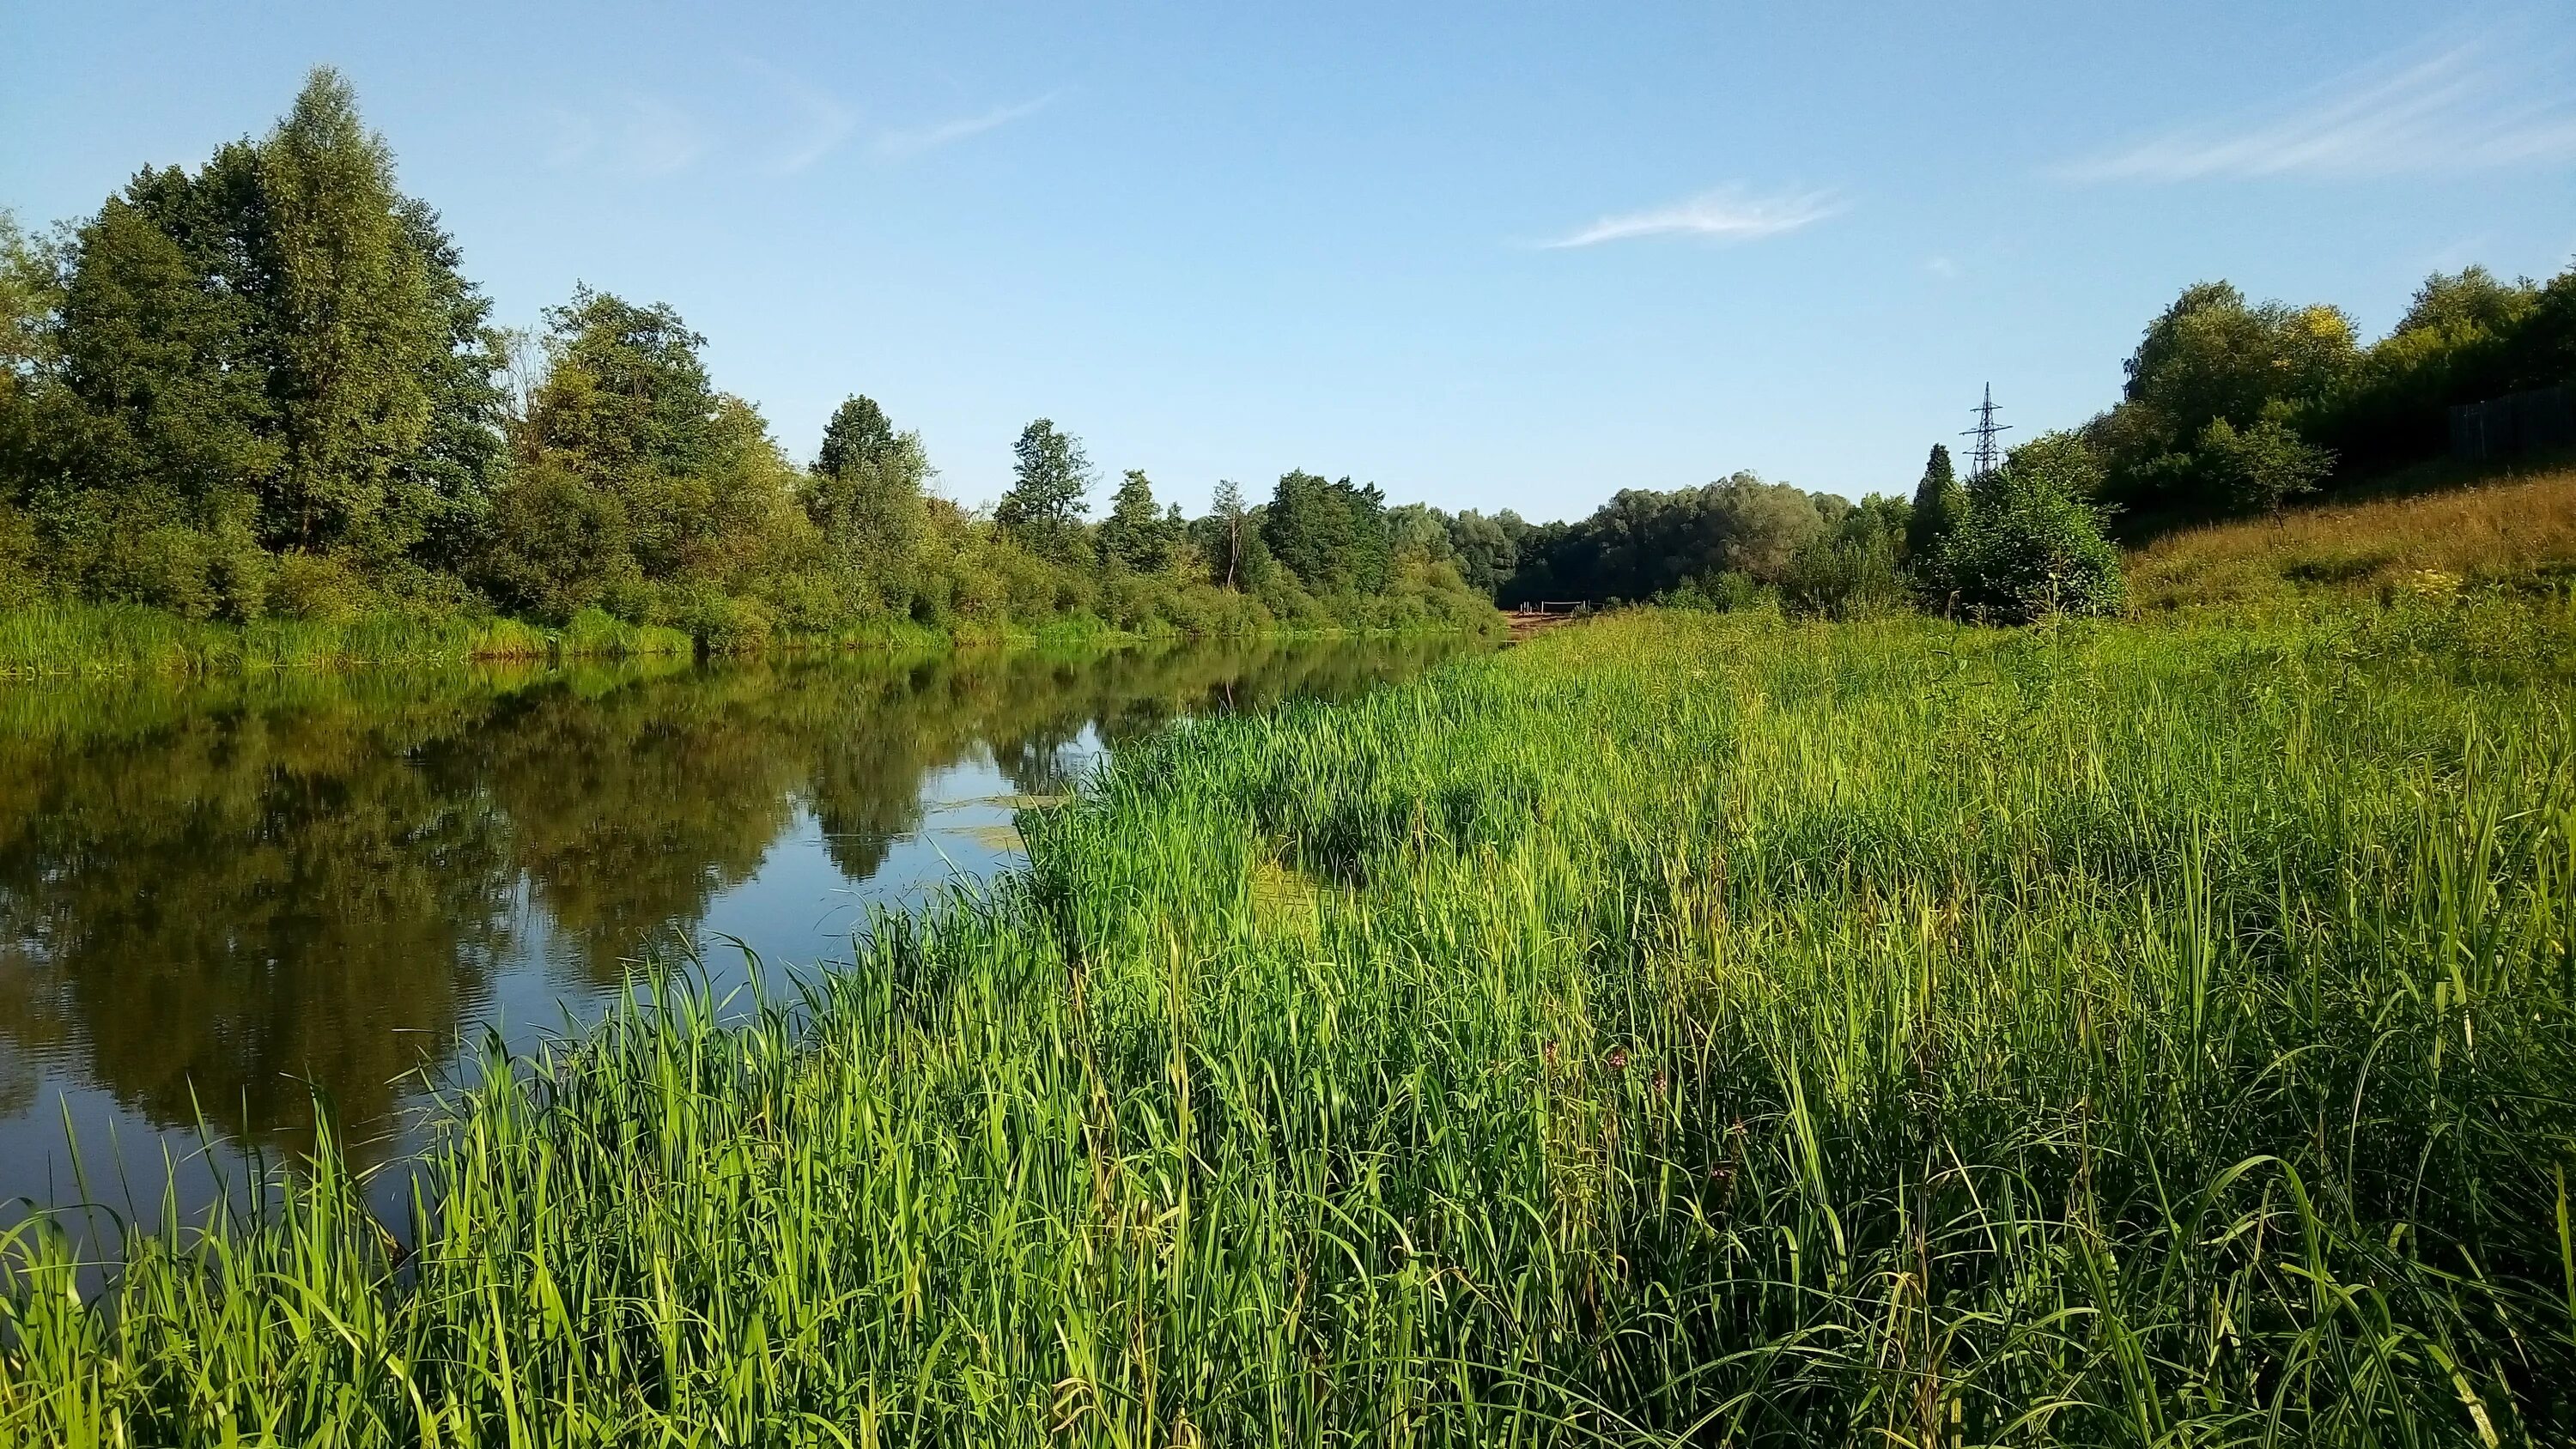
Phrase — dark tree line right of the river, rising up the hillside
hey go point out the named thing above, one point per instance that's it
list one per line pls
(2230, 411)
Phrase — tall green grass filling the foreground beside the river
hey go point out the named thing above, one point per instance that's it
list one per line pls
(1676, 1031)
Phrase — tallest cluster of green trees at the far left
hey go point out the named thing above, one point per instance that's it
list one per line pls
(269, 354)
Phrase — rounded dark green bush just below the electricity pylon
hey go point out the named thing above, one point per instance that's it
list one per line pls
(2029, 544)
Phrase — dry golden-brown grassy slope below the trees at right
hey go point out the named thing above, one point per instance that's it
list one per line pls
(2515, 534)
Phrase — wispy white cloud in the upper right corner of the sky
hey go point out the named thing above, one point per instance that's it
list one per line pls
(2446, 112)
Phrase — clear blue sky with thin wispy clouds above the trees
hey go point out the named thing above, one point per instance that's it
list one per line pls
(1490, 256)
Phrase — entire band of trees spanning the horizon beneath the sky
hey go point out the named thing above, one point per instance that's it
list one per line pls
(267, 390)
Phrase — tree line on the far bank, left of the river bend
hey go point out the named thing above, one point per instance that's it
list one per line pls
(267, 387)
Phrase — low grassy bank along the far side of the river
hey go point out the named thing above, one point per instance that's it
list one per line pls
(71, 640)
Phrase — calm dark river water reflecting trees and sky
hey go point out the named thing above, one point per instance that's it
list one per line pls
(218, 897)
